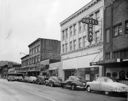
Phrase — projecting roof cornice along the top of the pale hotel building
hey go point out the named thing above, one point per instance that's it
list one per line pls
(77, 13)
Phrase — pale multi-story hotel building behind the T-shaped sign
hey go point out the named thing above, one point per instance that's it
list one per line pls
(77, 52)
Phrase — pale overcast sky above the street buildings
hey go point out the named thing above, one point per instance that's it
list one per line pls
(23, 21)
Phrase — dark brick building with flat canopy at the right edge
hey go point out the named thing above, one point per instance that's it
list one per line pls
(116, 39)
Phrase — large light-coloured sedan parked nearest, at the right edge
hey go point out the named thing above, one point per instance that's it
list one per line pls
(107, 85)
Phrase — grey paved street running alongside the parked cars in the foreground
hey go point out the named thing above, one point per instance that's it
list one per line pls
(18, 91)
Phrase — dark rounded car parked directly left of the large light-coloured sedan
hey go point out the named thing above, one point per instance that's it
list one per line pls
(74, 82)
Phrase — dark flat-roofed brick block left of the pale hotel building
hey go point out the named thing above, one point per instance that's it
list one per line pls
(41, 53)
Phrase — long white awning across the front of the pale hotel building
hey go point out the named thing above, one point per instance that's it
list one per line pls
(81, 62)
